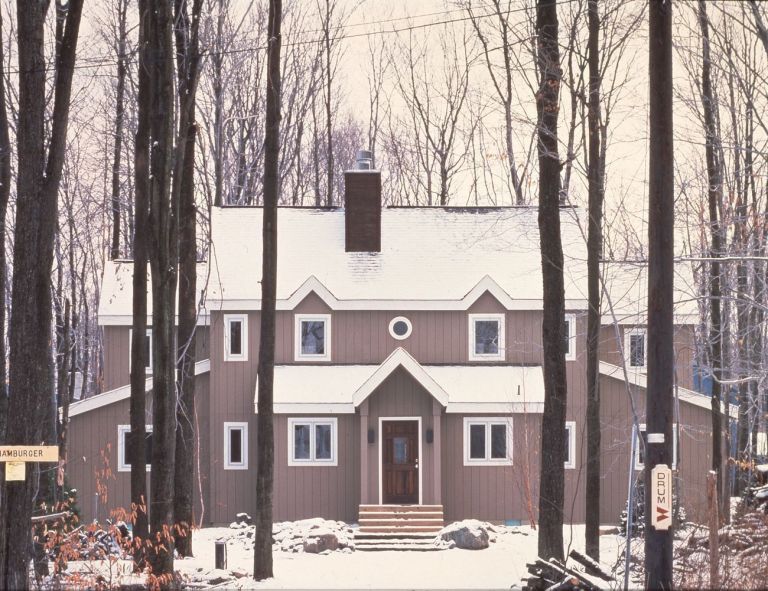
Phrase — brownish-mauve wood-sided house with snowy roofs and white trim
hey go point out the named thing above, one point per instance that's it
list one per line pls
(408, 367)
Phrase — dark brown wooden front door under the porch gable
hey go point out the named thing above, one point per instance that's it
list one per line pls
(400, 462)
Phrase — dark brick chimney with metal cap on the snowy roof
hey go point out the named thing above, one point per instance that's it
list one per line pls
(362, 203)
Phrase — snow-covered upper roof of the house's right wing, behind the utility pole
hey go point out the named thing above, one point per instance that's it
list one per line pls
(627, 286)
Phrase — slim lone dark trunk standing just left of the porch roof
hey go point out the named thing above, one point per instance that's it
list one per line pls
(262, 555)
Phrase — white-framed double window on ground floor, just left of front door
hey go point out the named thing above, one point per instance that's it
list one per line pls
(312, 441)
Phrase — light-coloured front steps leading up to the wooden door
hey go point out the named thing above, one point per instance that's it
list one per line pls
(399, 527)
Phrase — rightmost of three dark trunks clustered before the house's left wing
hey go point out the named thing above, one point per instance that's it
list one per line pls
(187, 61)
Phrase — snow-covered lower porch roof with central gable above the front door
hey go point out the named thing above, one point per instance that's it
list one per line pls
(340, 389)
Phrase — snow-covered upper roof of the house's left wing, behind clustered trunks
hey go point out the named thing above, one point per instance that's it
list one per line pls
(116, 296)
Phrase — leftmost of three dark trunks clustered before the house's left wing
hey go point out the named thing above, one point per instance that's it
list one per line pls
(139, 359)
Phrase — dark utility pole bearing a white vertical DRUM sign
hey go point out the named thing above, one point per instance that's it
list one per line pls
(659, 407)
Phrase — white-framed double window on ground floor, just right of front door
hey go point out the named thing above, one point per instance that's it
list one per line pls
(487, 441)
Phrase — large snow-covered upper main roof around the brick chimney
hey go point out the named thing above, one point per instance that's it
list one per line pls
(430, 257)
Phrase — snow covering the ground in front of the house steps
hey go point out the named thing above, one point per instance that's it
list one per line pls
(498, 567)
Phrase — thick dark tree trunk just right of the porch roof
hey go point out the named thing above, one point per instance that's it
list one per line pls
(551, 496)
